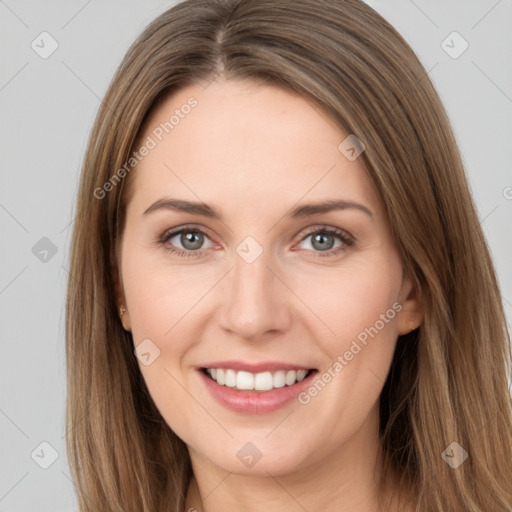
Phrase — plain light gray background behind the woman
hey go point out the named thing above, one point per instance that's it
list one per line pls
(47, 107)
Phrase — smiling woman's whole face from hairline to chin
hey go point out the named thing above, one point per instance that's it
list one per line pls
(263, 282)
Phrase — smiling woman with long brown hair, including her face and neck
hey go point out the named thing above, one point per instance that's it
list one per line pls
(280, 294)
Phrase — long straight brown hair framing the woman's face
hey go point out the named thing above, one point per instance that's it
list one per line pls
(448, 380)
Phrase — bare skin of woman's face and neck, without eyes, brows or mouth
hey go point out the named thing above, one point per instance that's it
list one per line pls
(255, 151)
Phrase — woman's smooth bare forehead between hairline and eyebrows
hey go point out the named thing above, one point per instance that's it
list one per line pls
(241, 143)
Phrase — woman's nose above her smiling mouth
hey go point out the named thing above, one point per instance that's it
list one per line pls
(256, 302)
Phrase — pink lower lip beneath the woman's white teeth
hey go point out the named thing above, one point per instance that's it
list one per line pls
(255, 402)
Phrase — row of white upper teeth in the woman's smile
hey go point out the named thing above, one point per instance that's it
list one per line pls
(263, 381)
